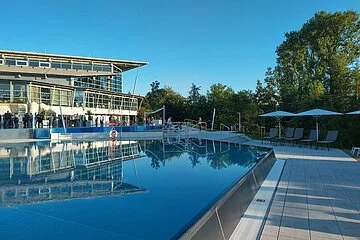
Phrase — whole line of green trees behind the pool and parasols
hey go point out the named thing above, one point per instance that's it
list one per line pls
(317, 66)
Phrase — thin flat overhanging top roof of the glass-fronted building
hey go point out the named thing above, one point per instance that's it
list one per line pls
(124, 65)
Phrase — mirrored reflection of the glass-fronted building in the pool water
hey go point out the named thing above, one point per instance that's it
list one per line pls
(64, 171)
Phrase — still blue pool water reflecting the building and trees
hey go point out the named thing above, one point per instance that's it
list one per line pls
(100, 190)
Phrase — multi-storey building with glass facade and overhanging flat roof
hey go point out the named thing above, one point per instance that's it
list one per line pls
(67, 85)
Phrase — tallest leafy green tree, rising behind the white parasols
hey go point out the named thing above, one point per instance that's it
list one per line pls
(317, 66)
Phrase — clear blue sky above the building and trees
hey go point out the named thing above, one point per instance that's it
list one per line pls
(204, 42)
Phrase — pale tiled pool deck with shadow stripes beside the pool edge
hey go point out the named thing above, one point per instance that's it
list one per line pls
(318, 196)
